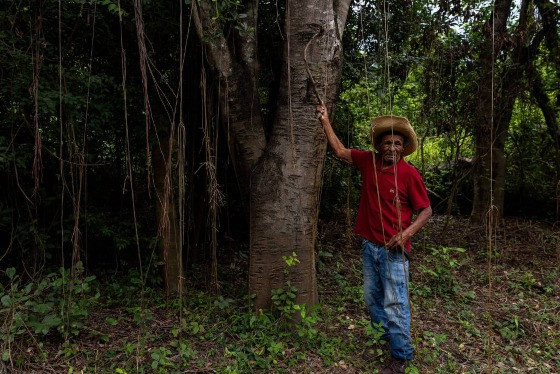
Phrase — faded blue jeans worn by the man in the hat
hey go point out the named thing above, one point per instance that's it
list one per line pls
(386, 296)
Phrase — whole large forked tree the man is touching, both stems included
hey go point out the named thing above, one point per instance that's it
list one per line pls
(278, 164)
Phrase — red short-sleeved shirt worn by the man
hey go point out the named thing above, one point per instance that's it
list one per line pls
(411, 193)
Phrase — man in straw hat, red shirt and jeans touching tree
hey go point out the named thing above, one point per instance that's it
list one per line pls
(391, 190)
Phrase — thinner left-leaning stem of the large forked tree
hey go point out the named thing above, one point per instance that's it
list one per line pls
(237, 75)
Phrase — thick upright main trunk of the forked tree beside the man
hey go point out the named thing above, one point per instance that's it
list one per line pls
(286, 182)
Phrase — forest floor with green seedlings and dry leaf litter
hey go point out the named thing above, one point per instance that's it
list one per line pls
(472, 312)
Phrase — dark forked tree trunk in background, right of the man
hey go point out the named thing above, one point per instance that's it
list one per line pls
(493, 121)
